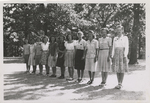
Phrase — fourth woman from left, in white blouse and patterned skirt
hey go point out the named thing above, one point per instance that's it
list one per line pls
(44, 56)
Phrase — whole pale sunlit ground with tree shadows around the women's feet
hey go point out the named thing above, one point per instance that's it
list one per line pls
(21, 86)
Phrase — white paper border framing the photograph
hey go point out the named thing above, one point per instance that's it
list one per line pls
(79, 1)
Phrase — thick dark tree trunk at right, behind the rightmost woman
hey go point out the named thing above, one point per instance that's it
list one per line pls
(133, 55)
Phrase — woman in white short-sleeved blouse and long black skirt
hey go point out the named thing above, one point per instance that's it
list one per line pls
(79, 53)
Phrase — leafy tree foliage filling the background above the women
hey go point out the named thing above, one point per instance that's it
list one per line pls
(26, 20)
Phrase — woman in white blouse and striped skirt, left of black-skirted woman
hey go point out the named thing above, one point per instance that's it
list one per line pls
(70, 56)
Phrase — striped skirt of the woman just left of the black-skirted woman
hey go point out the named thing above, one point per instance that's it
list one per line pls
(69, 58)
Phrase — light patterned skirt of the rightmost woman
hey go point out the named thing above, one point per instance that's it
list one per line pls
(119, 65)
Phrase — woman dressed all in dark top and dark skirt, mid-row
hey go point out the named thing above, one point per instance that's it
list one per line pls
(60, 59)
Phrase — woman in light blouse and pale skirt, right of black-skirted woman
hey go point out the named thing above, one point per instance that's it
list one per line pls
(91, 53)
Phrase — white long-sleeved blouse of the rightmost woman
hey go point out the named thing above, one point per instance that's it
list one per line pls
(121, 42)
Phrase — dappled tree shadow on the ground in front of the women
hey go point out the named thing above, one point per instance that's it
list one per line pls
(21, 86)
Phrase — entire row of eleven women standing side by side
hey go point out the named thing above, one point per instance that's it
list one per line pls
(103, 55)
